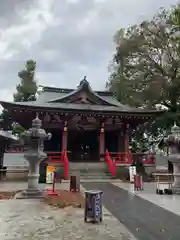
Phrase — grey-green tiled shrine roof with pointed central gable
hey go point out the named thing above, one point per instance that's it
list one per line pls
(60, 98)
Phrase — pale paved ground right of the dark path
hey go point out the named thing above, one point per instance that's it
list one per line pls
(168, 202)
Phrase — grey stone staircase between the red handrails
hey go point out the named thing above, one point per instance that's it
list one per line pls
(97, 170)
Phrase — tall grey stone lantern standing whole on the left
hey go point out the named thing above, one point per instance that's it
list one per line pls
(34, 145)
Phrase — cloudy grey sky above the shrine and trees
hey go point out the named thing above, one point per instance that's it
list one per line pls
(67, 38)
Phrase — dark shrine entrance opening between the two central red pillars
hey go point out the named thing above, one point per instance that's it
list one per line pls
(83, 146)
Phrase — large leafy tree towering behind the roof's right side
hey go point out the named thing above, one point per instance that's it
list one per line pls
(145, 71)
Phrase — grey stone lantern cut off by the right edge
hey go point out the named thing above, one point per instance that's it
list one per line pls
(173, 142)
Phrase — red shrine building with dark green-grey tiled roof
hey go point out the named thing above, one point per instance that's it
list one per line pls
(84, 123)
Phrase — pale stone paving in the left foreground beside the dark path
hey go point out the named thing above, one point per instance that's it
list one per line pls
(33, 220)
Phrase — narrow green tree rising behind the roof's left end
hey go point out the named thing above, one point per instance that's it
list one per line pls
(26, 90)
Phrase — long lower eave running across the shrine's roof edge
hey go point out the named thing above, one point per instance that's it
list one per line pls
(77, 108)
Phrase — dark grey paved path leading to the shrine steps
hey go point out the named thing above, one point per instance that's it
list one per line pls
(144, 220)
